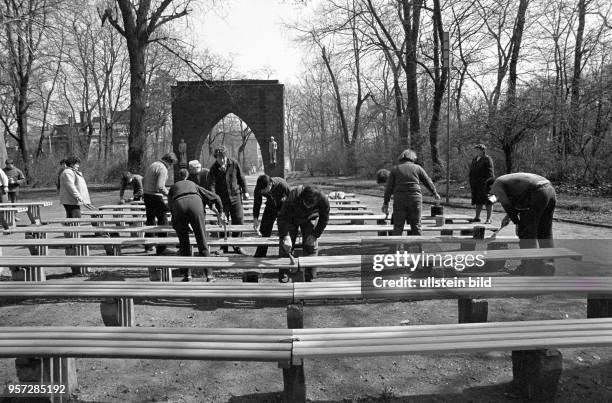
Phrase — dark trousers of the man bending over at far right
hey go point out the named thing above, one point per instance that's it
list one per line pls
(535, 225)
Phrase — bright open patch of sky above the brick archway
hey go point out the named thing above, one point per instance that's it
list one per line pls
(251, 33)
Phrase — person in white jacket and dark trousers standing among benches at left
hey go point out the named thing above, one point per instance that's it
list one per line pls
(73, 189)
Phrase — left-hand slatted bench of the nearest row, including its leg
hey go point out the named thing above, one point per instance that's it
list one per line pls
(47, 353)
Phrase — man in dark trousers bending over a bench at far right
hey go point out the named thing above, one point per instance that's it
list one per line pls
(529, 201)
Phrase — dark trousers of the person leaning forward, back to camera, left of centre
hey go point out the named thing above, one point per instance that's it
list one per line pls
(188, 210)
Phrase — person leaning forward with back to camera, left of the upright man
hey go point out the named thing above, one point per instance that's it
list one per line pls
(186, 200)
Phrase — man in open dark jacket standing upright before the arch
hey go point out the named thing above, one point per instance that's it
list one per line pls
(227, 181)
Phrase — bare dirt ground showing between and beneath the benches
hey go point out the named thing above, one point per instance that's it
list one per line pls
(474, 377)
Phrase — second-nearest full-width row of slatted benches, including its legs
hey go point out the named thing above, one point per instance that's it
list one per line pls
(119, 311)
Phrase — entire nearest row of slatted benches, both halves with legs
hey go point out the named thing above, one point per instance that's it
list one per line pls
(536, 366)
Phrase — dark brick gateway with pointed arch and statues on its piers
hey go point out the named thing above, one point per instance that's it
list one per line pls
(197, 106)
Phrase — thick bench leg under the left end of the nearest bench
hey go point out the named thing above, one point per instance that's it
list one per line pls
(53, 370)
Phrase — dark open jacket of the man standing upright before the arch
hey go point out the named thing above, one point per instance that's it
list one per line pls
(229, 185)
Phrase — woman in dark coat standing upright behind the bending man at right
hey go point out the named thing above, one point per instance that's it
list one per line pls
(481, 170)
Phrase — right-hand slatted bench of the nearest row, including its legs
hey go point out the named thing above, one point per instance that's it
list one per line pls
(536, 368)
